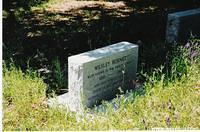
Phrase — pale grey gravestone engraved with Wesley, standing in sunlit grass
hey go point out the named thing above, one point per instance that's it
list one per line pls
(99, 75)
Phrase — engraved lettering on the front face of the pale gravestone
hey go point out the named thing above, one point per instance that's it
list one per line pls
(108, 76)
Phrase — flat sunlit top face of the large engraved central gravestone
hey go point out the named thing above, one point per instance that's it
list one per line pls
(101, 52)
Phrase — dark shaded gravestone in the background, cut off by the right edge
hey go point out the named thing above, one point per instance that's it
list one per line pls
(180, 25)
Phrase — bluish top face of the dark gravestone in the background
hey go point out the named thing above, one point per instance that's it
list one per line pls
(186, 13)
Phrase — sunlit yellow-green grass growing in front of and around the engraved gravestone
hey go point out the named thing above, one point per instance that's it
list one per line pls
(165, 100)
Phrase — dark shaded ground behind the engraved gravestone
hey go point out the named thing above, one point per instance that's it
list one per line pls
(39, 36)
